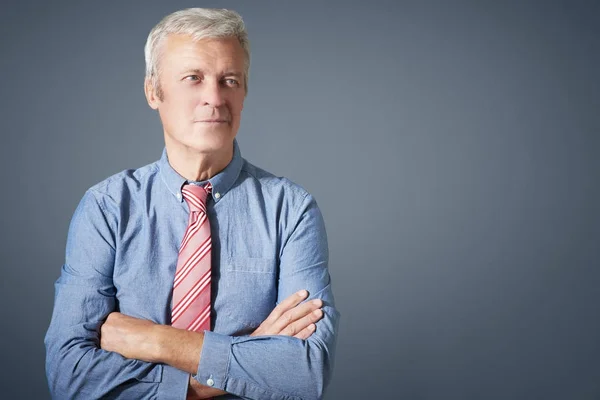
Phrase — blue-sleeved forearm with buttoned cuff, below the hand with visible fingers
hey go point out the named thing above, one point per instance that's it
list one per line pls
(271, 367)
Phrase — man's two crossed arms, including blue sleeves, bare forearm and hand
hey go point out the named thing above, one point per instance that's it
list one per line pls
(266, 365)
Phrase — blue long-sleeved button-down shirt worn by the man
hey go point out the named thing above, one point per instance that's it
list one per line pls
(269, 241)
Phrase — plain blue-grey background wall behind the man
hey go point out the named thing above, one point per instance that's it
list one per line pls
(452, 146)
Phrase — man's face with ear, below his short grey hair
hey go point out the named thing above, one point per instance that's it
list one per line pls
(202, 87)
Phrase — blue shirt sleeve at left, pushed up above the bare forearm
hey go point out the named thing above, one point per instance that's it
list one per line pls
(76, 367)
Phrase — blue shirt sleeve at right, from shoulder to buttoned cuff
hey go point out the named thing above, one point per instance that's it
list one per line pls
(281, 367)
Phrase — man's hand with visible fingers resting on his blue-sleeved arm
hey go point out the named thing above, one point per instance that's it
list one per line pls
(290, 318)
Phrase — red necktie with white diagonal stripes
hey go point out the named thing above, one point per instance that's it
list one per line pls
(191, 287)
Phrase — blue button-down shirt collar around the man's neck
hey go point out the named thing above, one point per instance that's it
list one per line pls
(221, 182)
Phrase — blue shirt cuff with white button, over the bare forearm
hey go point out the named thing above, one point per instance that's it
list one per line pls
(214, 360)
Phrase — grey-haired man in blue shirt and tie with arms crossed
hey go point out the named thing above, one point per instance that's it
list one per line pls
(259, 320)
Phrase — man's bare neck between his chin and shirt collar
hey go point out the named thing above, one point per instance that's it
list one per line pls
(198, 166)
